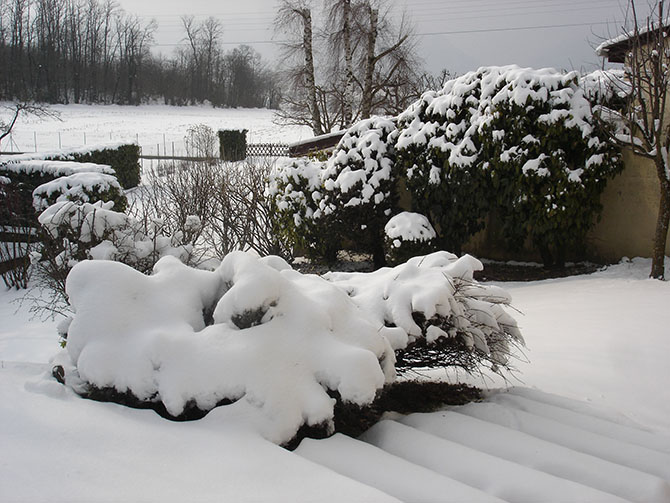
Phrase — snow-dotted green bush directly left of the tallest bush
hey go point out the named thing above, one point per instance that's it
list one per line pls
(350, 196)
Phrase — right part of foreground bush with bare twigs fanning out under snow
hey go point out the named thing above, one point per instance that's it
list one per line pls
(436, 314)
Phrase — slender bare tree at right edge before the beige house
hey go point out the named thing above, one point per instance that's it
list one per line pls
(646, 128)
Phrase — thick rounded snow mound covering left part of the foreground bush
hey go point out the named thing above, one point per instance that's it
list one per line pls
(253, 331)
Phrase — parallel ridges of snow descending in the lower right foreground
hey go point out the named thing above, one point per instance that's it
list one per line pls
(517, 446)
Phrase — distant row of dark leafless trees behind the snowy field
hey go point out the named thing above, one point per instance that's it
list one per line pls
(92, 51)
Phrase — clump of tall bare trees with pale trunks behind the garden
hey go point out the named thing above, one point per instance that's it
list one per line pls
(370, 61)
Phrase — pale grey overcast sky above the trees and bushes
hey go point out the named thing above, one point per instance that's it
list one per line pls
(459, 35)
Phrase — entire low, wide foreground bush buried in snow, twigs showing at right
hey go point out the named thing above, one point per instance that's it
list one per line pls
(277, 343)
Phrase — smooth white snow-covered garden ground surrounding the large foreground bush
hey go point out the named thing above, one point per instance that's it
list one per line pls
(598, 343)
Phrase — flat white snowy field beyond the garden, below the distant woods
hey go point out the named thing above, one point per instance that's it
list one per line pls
(156, 128)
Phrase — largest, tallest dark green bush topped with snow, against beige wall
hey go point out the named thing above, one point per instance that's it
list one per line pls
(519, 140)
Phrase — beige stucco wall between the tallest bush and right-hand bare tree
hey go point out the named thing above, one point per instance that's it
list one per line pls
(630, 207)
